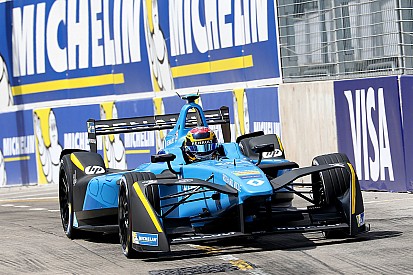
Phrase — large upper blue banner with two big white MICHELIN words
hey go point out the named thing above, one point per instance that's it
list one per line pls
(66, 49)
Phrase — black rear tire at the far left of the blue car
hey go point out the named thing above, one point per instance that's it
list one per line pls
(66, 197)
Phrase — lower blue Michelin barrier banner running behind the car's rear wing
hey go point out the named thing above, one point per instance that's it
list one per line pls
(31, 149)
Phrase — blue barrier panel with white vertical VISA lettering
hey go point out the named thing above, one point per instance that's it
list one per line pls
(369, 129)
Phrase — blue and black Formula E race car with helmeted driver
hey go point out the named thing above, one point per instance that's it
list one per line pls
(240, 189)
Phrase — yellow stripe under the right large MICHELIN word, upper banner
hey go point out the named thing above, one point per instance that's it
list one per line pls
(213, 66)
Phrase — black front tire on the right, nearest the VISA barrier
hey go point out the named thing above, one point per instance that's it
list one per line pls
(328, 185)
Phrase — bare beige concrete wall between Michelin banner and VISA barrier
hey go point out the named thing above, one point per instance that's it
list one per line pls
(308, 120)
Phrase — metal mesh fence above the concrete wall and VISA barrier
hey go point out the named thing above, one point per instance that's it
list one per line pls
(335, 39)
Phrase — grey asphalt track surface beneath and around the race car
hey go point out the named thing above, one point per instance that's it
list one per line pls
(32, 242)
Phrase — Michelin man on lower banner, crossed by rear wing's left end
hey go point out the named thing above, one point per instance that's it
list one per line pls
(114, 149)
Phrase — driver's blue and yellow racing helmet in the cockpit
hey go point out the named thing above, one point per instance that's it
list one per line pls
(200, 143)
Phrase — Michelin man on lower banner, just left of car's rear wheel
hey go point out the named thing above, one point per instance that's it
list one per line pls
(48, 147)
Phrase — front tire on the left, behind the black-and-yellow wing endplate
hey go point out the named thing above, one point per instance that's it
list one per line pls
(124, 209)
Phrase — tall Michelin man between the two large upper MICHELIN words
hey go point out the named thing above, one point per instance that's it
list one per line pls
(162, 79)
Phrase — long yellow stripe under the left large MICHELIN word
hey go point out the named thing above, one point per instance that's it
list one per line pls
(65, 84)
